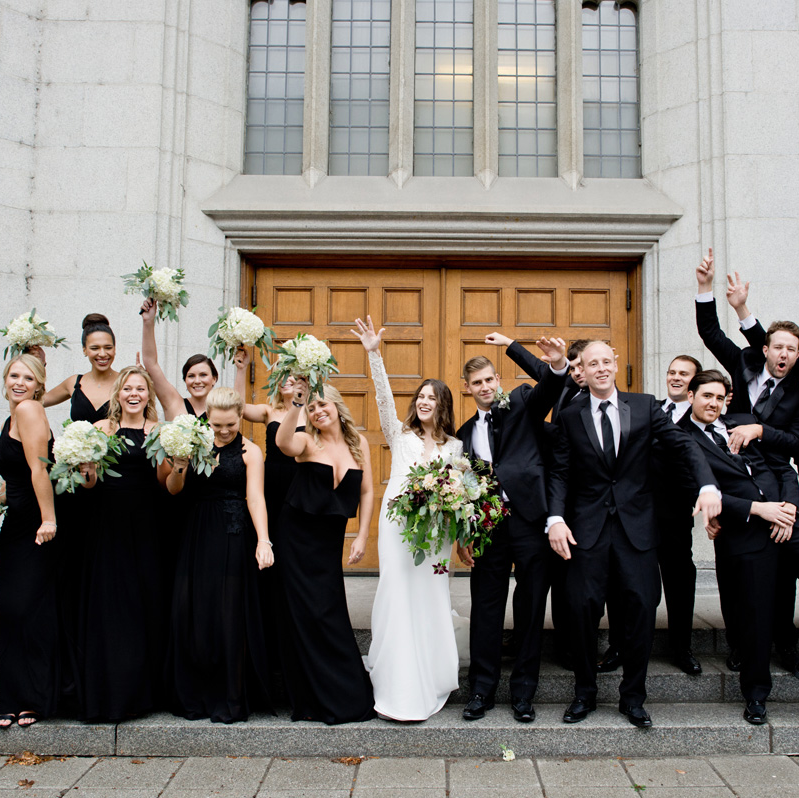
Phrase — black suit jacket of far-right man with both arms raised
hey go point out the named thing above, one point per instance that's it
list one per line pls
(780, 417)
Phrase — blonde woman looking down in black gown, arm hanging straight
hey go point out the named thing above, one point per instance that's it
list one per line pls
(219, 655)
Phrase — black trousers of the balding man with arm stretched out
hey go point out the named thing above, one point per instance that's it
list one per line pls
(613, 560)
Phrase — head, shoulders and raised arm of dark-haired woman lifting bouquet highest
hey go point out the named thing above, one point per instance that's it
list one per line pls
(199, 373)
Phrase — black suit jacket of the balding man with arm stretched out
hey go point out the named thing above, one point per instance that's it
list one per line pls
(584, 489)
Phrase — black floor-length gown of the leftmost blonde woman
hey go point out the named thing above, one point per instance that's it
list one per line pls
(28, 619)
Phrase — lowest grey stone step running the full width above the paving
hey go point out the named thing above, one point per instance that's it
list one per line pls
(678, 730)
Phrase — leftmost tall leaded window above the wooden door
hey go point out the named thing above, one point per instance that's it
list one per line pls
(275, 90)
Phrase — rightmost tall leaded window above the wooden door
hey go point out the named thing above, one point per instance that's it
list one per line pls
(611, 126)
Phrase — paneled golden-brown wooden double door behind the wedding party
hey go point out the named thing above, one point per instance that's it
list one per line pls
(436, 317)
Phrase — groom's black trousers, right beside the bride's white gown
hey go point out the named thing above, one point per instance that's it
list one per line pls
(524, 544)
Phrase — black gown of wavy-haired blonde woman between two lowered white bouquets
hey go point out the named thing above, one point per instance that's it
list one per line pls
(121, 624)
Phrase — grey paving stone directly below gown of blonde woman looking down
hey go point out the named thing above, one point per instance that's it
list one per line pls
(216, 774)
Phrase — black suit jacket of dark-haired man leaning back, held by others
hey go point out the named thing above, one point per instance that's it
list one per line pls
(741, 532)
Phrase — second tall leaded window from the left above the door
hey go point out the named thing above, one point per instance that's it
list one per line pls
(359, 86)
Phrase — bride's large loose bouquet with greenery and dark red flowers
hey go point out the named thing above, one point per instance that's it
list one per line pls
(443, 502)
